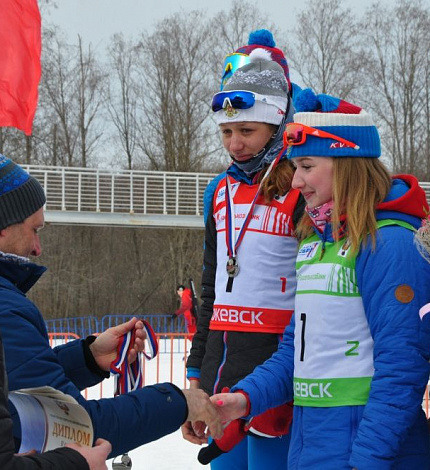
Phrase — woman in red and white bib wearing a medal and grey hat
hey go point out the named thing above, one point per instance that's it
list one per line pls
(249, 276)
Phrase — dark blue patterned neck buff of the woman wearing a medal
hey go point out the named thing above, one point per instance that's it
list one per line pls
(263, 158)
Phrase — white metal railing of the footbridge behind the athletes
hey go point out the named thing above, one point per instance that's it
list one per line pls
(121, 191)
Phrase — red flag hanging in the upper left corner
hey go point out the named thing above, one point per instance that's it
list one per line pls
(20, 67)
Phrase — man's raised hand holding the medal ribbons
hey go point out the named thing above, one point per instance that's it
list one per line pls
(104, 348)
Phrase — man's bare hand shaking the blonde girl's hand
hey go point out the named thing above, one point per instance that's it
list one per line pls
(200, 411)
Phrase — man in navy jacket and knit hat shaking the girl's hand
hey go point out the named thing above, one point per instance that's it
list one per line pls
(127, 421)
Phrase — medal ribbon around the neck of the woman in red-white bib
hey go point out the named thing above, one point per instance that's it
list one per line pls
(230, 229)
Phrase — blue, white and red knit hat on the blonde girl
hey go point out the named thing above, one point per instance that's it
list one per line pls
(337, 117)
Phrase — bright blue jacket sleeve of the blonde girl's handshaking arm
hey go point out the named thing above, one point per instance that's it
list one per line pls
(271, 383)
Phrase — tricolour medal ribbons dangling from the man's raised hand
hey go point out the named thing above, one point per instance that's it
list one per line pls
(129, 377)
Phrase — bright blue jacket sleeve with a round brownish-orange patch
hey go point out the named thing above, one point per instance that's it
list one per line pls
(394, 281)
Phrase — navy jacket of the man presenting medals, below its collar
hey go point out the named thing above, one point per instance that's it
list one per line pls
(127, 421)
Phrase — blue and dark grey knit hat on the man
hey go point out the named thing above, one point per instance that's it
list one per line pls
(21, 195)
